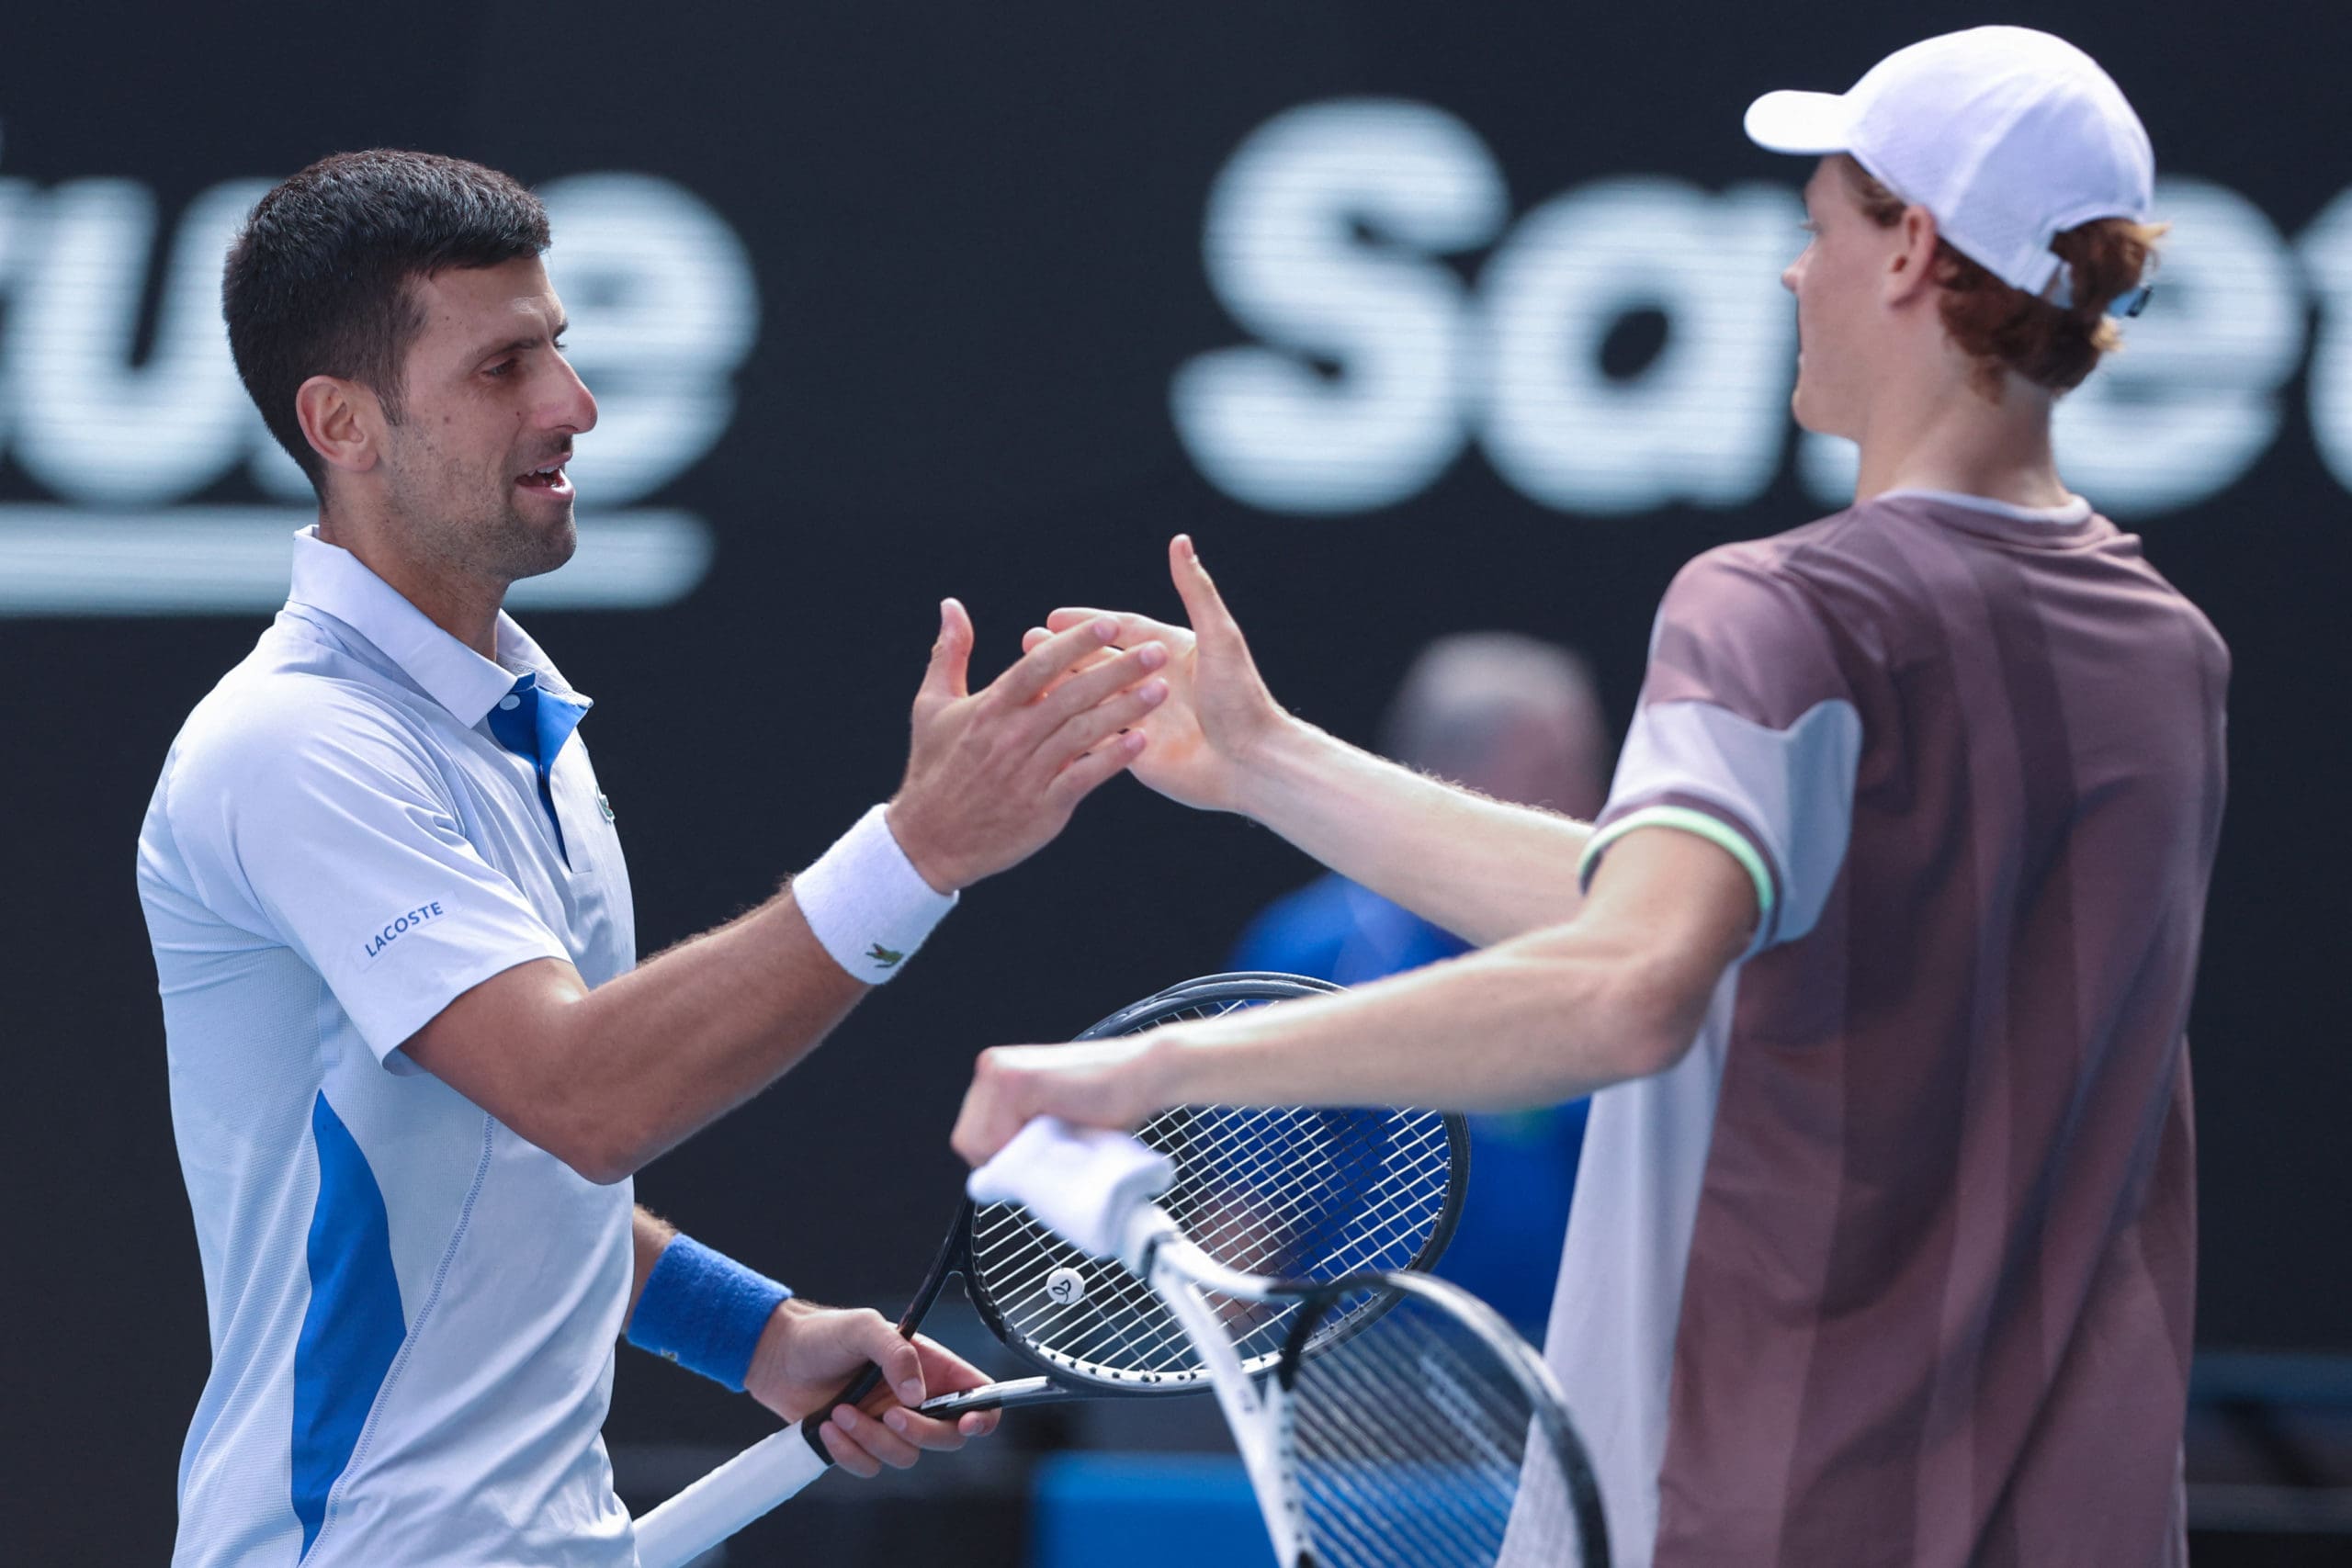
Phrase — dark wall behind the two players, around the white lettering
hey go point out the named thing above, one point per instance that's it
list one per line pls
(977, 246)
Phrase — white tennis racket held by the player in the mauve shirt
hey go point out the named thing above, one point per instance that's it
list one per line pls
(1401, 1423)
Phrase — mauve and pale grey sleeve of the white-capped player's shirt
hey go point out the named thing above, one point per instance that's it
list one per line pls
(1746, 737)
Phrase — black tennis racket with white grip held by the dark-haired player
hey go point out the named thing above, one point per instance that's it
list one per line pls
(1297, 1193)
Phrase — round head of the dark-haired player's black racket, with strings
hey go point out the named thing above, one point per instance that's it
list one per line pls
(1299, 1195)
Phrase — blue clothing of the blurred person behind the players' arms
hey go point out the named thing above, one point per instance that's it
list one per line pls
(1523, 1165)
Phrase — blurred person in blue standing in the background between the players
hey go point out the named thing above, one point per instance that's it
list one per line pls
(1518, 721)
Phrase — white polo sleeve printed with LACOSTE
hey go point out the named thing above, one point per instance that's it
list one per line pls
(326, 826)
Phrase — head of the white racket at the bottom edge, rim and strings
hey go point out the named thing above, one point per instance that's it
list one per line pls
(1431, 1433)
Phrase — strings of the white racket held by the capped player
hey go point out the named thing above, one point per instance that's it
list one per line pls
(1417, 1445)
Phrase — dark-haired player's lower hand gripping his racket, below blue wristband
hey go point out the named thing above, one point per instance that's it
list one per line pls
(810, 1353)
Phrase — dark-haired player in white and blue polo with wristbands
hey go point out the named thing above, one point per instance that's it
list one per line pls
(413, 1054)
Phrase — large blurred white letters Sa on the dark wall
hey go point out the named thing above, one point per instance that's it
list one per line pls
(1419, 361)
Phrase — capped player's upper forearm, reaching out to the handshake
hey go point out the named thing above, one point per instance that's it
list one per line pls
(1481, 869)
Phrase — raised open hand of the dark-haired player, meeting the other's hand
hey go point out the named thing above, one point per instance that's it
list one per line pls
(994, 775)
